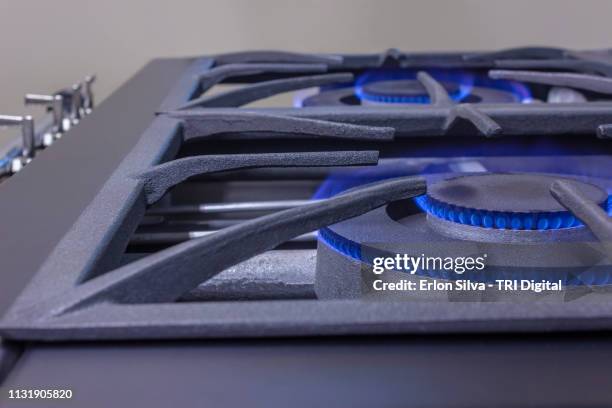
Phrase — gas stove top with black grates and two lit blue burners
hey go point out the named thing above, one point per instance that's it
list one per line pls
(197, 202)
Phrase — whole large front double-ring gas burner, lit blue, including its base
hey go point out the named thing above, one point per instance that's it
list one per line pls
(347, 250)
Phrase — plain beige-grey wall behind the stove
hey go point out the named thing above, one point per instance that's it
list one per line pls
(46, 45)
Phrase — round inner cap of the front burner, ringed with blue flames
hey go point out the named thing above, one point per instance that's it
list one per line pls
(504, 201)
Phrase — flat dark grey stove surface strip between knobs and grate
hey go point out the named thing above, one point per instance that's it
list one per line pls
(62, 208)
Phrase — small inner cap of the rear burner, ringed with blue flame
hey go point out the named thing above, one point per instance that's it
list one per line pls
(401, 91)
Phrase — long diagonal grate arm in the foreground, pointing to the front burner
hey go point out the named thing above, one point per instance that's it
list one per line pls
(168, 274)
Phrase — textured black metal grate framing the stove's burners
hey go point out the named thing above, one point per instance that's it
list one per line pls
(91, 288)
